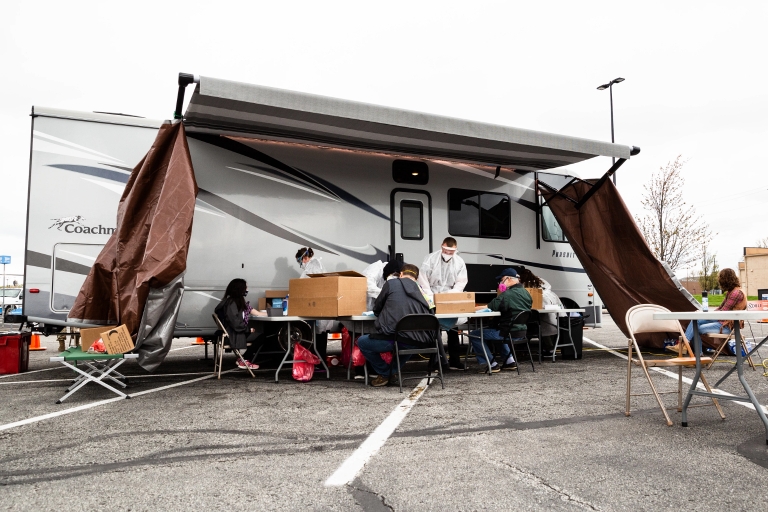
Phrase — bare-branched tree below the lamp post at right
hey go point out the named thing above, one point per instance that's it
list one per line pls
(672, 229)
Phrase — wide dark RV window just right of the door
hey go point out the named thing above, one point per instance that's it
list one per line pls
(478, 214)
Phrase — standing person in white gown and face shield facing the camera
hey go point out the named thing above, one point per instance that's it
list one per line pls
(444, 271)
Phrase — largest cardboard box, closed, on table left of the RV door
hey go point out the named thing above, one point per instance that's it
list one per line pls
(328, 295)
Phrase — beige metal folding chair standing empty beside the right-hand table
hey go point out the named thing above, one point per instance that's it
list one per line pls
(639, 320)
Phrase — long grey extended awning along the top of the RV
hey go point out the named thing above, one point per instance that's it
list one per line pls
(234, 108)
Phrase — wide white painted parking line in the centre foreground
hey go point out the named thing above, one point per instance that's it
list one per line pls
(351, 467)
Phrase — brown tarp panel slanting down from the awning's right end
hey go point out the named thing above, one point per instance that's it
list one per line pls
(614, 253)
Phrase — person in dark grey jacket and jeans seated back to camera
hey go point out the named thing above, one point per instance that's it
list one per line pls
(398, 297)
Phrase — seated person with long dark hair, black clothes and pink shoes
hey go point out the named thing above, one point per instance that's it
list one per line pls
(234, 313)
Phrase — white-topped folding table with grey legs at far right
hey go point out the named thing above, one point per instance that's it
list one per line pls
(736, 316)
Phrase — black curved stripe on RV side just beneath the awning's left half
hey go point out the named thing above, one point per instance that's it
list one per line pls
(296, 174)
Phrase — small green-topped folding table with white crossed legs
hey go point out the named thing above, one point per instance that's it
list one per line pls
(99, 367)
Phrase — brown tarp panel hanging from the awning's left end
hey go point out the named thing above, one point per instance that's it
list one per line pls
(150, 244)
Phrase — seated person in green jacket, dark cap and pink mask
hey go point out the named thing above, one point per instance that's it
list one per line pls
(512, 300)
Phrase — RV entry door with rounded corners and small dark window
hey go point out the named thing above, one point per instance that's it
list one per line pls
(411, 214)
